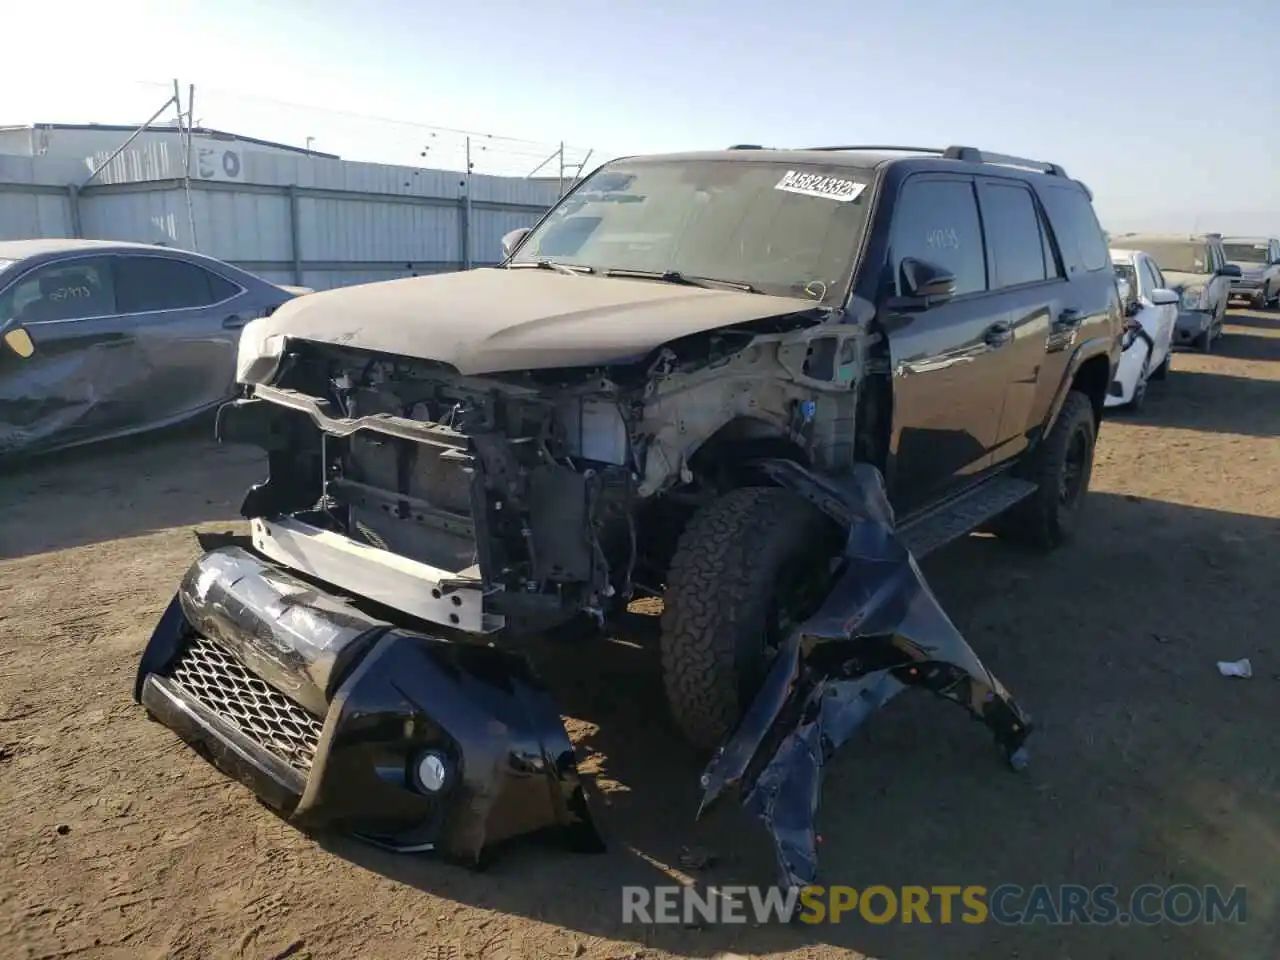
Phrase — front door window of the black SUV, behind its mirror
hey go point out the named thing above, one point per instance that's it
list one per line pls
(938, 221)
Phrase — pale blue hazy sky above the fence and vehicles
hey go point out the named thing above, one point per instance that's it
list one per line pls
(1168, 111)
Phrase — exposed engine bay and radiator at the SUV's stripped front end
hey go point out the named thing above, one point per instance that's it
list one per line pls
(514, 487)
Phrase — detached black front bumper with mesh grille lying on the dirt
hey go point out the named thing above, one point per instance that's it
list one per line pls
(258, 669)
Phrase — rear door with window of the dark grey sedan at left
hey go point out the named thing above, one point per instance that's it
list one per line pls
(186, 322)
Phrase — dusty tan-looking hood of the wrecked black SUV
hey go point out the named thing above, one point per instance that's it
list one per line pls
(493, 321)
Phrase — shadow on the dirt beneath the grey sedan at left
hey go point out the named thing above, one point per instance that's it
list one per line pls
(140, 486)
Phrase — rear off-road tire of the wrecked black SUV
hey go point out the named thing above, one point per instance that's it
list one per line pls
(1044, 522)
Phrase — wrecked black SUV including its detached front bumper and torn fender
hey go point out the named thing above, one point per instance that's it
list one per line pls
(756, 383)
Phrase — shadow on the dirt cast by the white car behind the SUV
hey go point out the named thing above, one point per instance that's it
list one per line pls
(1194, 400)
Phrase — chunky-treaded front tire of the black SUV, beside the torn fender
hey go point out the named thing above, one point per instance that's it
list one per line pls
(720, 598)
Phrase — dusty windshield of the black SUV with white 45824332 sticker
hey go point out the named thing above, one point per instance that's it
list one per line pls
(789, 231)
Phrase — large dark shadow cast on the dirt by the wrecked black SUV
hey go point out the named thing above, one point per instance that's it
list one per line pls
(1160, 769)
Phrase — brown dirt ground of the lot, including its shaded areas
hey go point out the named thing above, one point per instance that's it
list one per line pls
(1148, 767)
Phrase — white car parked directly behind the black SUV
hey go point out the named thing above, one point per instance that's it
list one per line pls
(1151, 316)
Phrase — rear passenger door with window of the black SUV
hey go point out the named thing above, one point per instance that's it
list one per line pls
(1028, 287)
